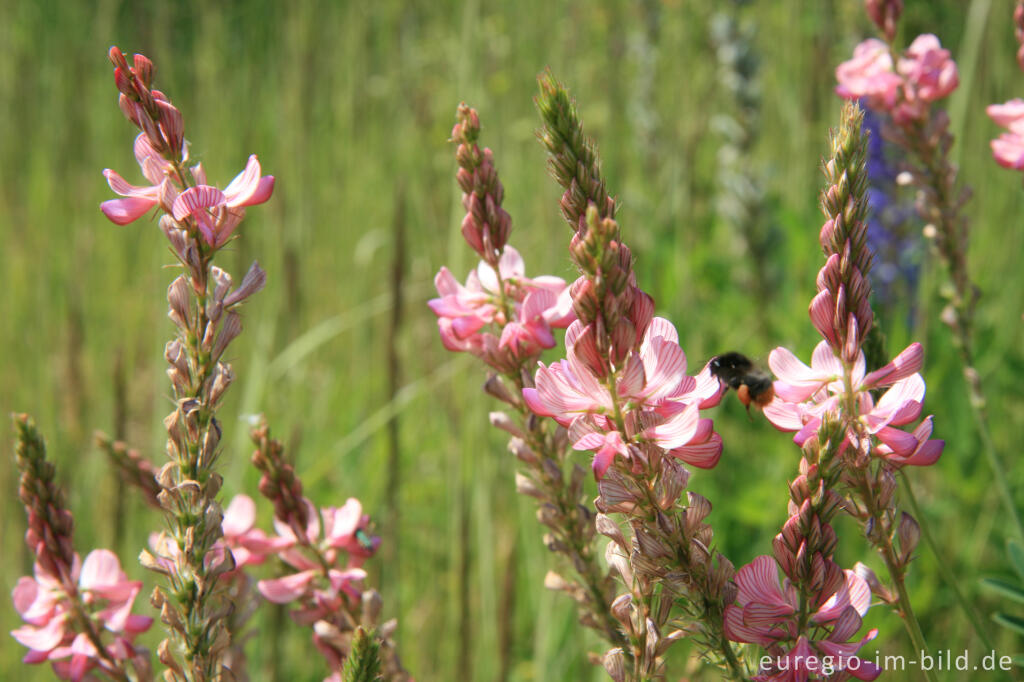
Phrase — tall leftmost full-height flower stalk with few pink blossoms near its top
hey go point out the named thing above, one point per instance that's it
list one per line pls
(198, 221)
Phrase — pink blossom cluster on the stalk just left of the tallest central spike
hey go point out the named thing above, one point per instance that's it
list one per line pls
(526, 310)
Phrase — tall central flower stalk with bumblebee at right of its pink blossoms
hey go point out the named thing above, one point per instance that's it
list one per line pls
(624, 396)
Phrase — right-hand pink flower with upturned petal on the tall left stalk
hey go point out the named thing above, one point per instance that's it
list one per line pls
(219, 214)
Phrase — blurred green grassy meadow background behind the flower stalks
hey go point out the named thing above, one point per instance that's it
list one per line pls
(351, 106)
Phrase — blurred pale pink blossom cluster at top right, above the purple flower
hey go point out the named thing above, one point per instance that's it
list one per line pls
(922, 75)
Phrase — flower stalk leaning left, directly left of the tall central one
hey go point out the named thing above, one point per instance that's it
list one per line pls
(506, 320)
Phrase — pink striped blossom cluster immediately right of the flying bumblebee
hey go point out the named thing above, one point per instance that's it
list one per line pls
(804, 395)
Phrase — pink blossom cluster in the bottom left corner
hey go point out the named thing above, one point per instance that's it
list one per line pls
(54, 609)
